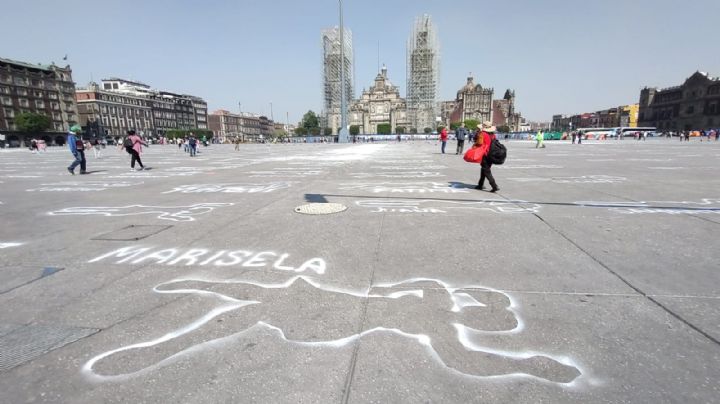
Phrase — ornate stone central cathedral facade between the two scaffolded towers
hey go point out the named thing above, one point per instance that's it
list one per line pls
(380, 104)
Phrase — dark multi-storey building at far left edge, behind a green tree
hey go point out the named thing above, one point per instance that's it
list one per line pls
(43, 89)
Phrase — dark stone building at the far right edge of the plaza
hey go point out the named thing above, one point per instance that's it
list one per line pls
(693, 105)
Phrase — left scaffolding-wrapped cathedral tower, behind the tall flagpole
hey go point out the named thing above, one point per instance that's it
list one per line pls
(332, 66)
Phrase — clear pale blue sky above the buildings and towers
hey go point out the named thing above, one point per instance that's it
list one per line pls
(560, 56)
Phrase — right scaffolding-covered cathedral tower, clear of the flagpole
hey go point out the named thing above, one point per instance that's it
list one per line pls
(423, 73)
